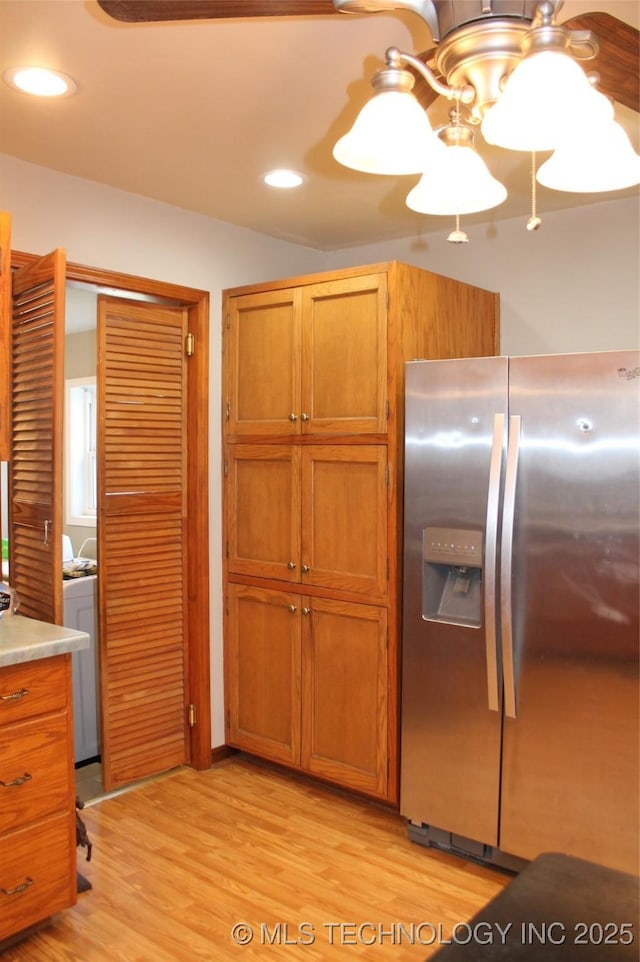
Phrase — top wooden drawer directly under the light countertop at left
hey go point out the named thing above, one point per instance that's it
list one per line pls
(33, 688)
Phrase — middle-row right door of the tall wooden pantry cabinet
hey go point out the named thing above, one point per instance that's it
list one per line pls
(344, 518)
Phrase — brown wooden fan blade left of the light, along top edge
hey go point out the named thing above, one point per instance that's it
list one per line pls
(149, 11)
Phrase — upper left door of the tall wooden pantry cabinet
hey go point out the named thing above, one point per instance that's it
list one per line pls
(263, 366)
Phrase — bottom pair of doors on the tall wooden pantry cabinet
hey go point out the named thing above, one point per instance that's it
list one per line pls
(306, 677)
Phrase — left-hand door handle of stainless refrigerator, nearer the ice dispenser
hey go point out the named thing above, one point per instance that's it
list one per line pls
(491, 562)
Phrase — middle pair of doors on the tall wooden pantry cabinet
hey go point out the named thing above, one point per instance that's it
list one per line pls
(314, 515)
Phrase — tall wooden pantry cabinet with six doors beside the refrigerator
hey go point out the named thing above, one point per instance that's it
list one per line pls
(312, 408)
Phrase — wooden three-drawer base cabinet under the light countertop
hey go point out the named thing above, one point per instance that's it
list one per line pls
(37, 795)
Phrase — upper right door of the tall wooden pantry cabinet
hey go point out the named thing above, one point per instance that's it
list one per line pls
(344, 361)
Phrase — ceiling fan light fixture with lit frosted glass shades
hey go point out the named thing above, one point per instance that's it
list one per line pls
(515, 74)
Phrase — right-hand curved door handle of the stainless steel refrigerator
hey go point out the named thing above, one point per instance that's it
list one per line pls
(508, 514)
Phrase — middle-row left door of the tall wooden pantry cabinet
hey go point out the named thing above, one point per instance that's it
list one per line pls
(263, 503)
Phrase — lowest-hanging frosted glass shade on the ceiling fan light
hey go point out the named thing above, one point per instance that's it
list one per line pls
(458, 182)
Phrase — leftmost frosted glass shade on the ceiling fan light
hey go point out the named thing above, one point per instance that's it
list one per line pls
(391, 135)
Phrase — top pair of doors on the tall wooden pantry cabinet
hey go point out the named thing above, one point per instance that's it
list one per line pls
(327, 343)
